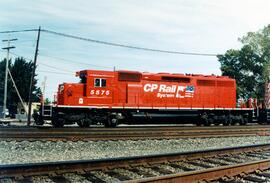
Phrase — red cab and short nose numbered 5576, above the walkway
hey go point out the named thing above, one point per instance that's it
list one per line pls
(93, 89)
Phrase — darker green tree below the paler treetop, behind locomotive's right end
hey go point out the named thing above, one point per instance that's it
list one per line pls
(246, 67)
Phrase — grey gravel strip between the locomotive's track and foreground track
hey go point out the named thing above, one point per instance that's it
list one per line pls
(30, 152)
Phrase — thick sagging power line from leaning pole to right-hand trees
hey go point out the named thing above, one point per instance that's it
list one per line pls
(126, 46)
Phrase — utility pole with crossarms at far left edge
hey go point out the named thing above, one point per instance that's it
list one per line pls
(6, 73)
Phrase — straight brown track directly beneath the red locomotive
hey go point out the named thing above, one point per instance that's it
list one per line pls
(124, 133)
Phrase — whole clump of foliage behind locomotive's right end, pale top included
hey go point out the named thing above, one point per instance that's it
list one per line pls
(250, 65)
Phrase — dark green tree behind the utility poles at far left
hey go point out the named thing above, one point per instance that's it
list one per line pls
(21, 72)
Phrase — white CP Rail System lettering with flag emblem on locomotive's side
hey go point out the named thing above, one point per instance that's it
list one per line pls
(170, 91)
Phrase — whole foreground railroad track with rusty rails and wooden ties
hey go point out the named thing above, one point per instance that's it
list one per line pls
(246, 163)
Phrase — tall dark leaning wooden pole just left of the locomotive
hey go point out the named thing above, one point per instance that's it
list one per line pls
(32, 81)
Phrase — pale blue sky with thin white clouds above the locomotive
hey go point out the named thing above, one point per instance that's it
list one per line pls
(201, 26)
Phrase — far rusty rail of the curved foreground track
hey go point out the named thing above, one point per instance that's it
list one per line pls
(22, 170)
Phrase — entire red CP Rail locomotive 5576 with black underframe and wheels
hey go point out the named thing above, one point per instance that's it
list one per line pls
(130, 97)
